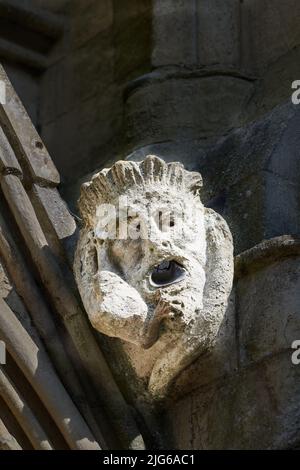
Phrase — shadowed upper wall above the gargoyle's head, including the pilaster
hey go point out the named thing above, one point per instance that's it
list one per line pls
(252, 44)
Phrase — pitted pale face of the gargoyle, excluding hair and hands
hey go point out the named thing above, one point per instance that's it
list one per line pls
(165, 264)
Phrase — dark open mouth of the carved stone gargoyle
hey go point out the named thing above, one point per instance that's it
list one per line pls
(167, 273)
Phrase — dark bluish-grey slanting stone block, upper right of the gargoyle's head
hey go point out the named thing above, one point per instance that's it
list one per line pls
(246, 150)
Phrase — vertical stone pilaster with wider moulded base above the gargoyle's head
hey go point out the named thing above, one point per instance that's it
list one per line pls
(197, 89)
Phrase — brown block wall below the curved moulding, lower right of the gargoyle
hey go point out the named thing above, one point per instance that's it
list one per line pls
(249, 398)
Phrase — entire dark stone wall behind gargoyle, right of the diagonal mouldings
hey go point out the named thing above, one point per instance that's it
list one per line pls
(208, 83)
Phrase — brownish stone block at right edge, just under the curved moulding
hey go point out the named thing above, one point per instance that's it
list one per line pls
(269, 310)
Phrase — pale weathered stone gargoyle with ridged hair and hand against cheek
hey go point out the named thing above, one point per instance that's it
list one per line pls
(154, 267)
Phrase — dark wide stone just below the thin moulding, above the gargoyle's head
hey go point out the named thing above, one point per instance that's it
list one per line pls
(182, 109)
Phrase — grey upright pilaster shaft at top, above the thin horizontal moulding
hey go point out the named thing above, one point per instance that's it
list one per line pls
(207, 33)
